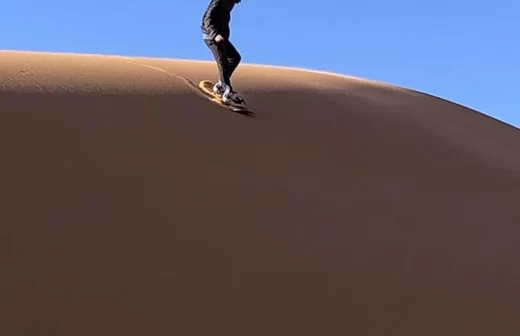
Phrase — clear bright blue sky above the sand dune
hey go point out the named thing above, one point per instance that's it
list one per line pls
(464, 51)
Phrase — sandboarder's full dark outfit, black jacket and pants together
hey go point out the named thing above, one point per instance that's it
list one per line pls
(215, 21)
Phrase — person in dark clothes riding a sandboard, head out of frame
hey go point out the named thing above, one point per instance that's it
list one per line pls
(216, 33)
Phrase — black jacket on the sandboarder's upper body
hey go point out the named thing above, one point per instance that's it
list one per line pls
(216, 19)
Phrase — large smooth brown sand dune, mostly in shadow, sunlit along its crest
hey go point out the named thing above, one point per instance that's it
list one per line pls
(130, 205)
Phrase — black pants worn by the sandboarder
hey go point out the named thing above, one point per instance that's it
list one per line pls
(227, 58)
